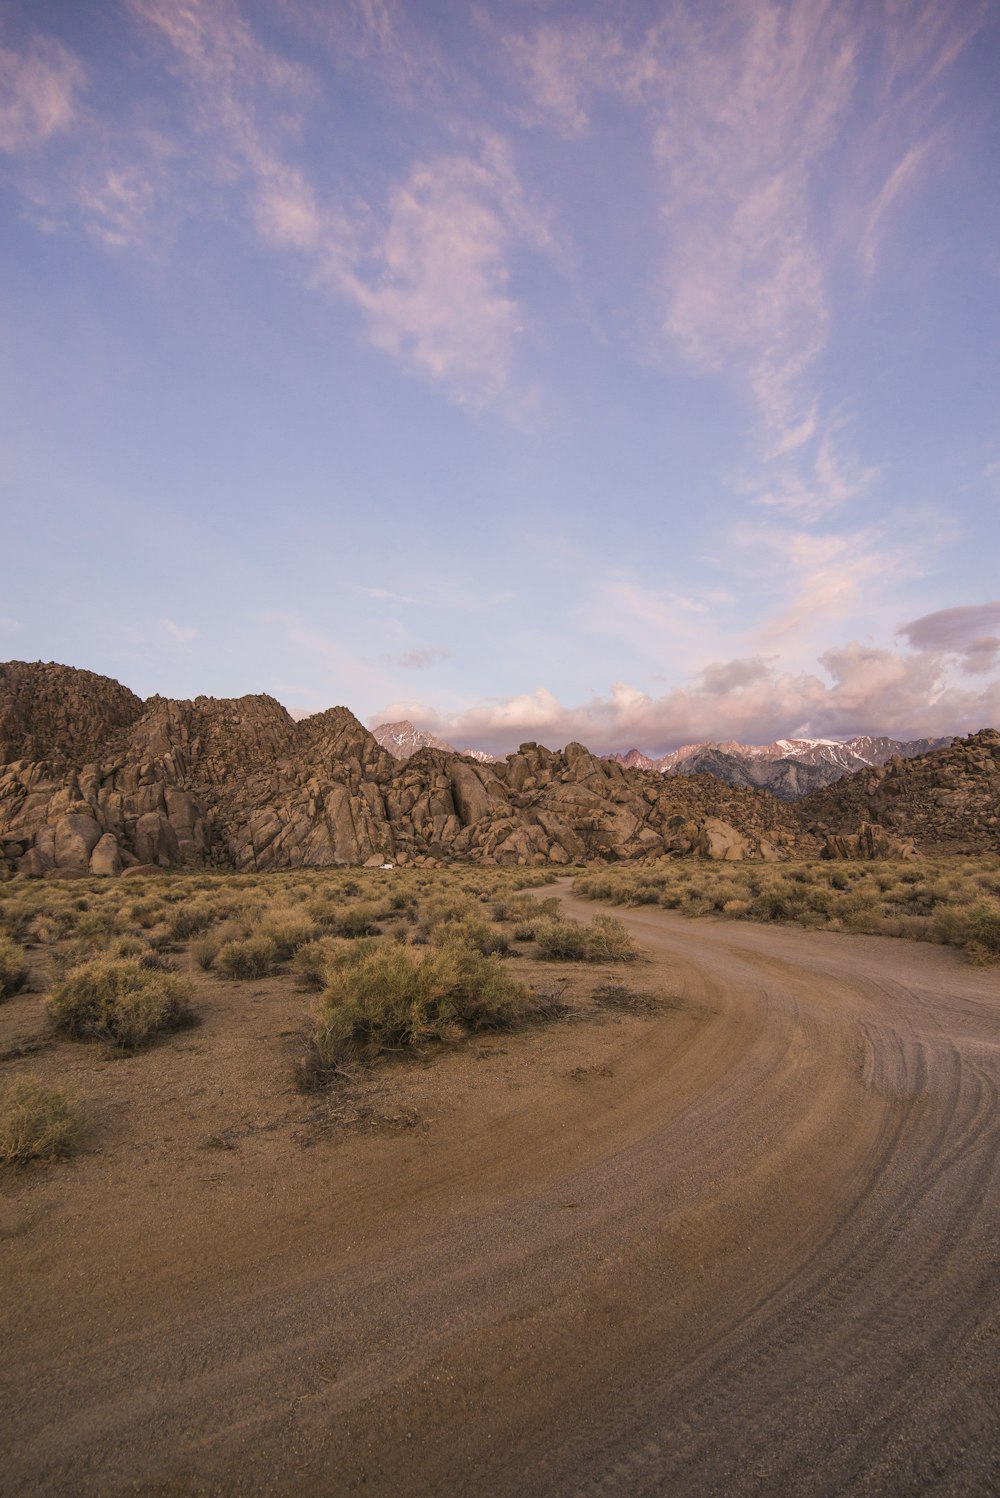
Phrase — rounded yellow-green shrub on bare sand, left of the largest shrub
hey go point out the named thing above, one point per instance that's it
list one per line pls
(119, 1000)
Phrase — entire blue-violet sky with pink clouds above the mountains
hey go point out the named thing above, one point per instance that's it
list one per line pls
(618, 372)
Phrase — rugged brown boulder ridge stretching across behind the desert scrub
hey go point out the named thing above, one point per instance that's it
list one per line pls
(112, 783)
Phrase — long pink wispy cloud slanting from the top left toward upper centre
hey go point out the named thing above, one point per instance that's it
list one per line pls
(429, 267)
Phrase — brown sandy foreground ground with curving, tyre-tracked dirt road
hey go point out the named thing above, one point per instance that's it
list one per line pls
(743, 1244)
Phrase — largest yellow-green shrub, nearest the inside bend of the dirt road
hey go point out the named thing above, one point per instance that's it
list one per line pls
(388, 998)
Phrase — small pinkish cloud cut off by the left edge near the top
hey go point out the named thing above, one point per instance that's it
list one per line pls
(38, 89)
